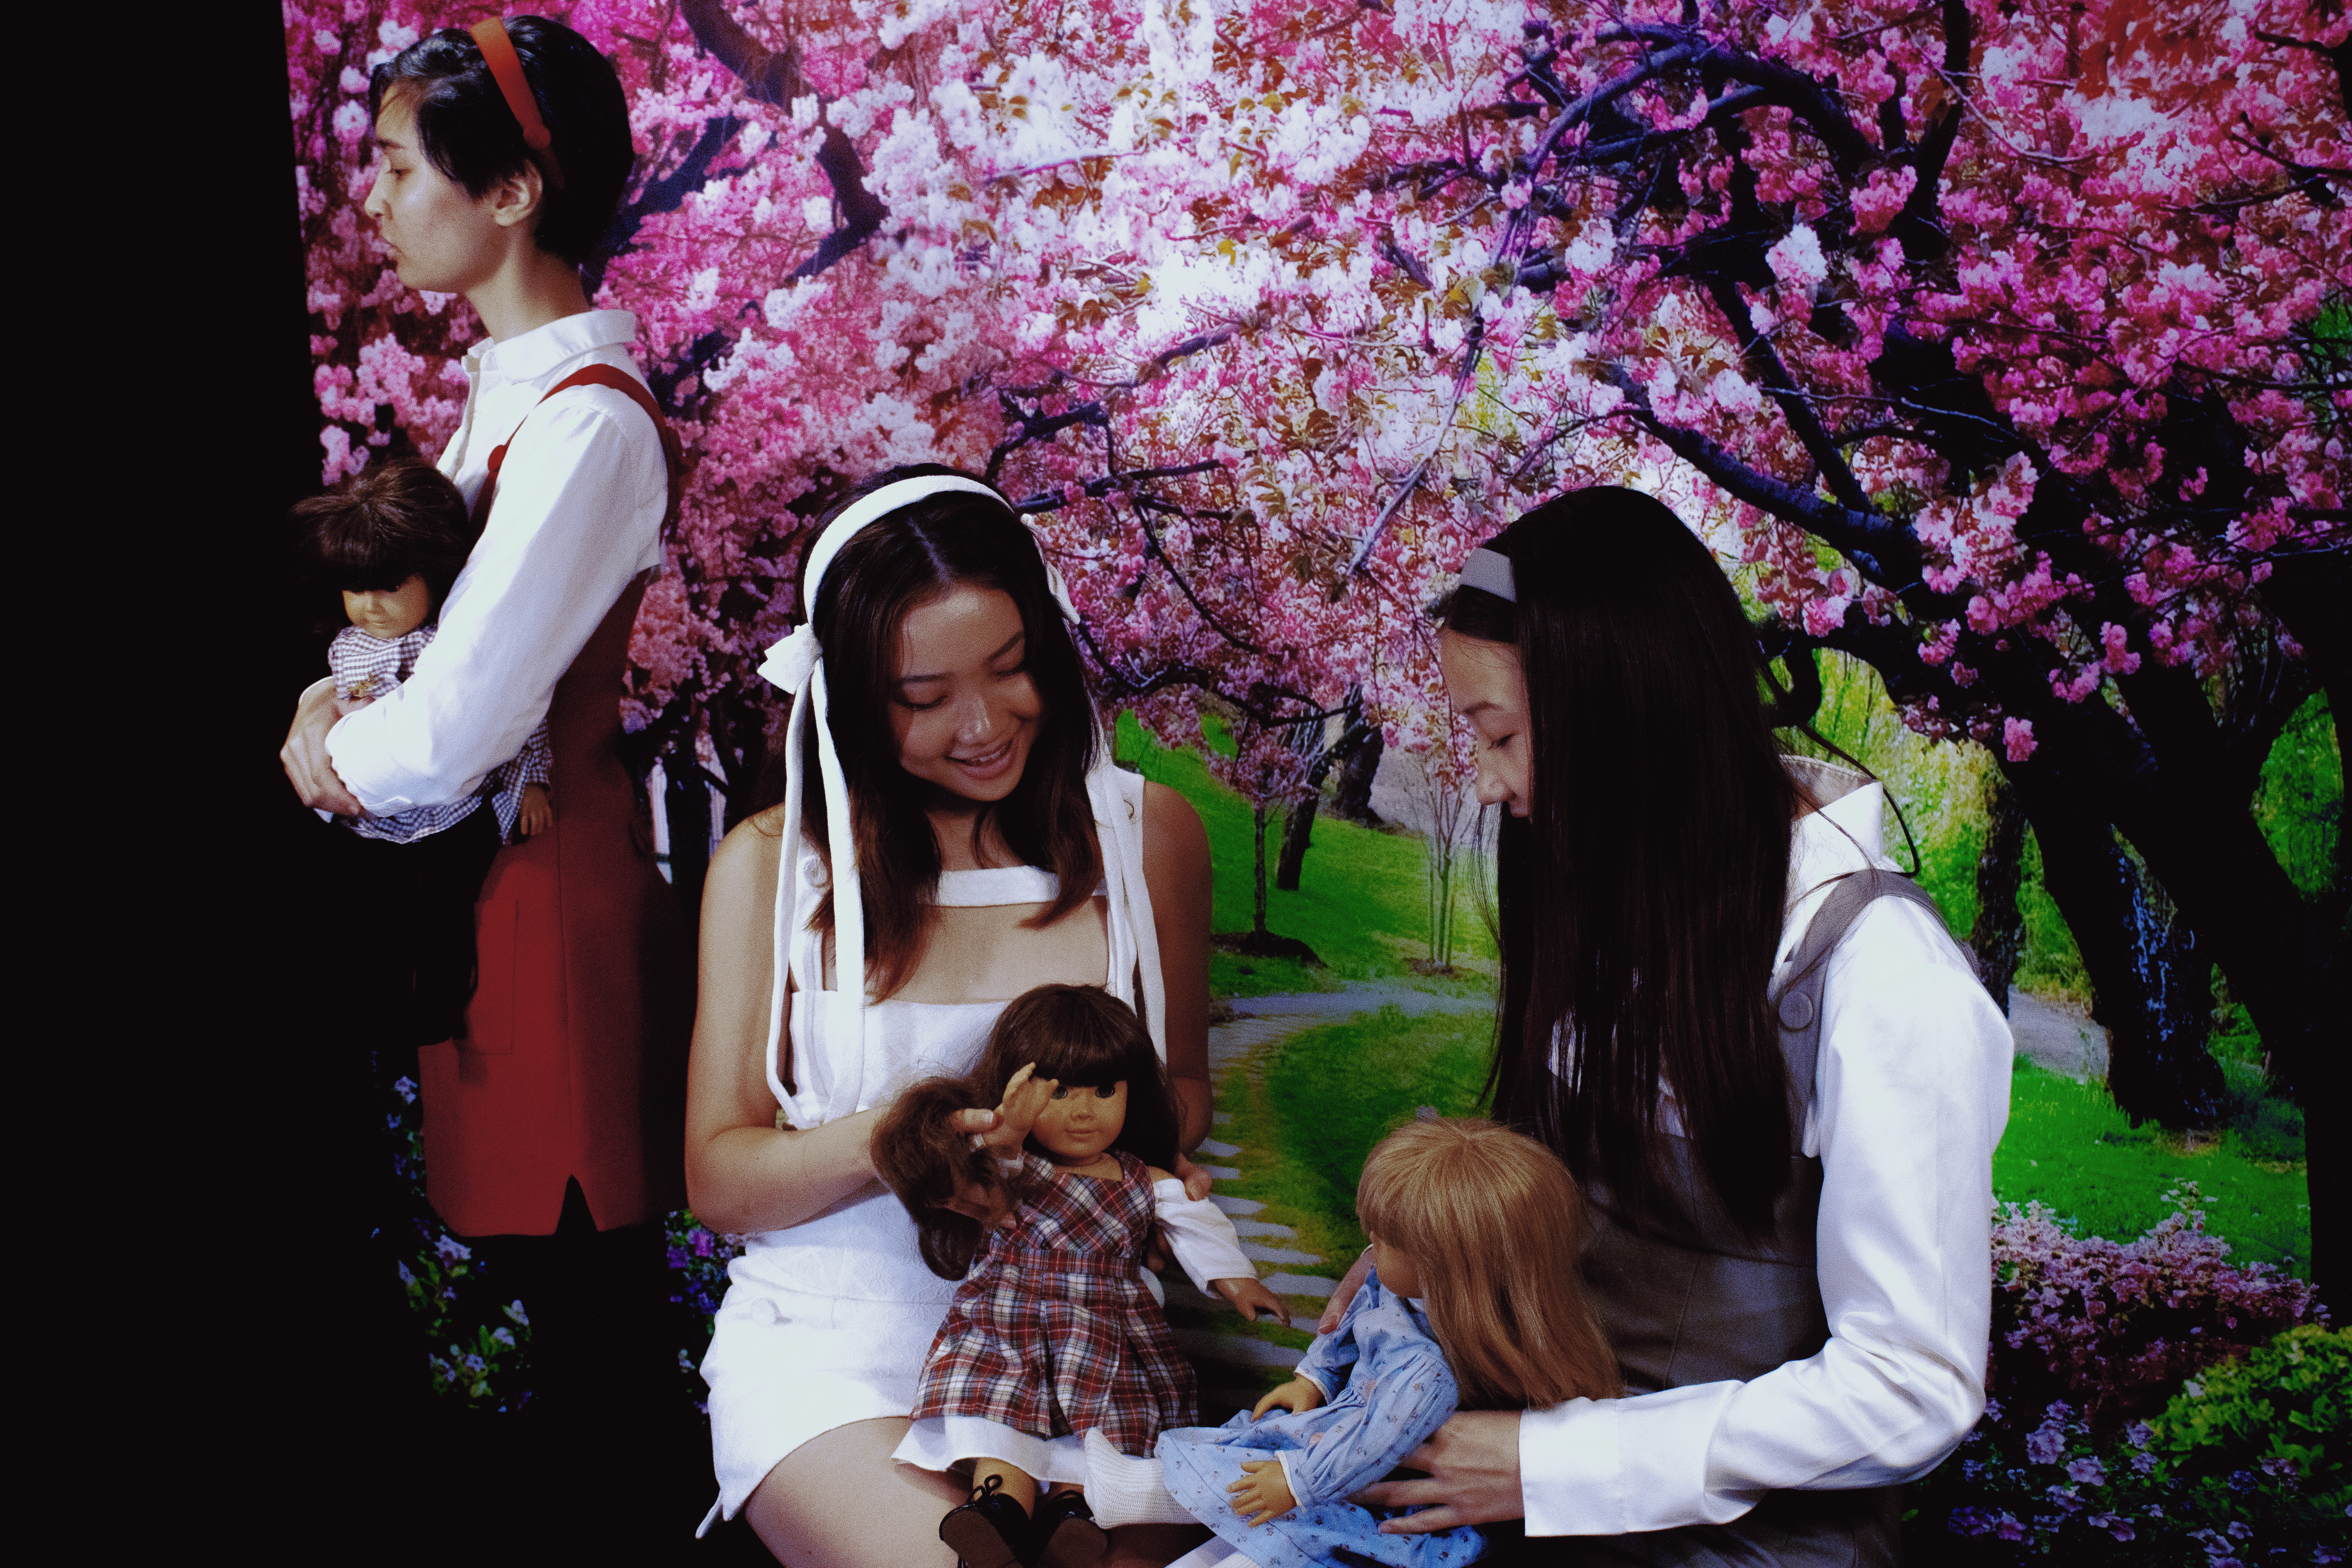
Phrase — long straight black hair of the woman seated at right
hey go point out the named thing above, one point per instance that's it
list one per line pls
(1641, 899)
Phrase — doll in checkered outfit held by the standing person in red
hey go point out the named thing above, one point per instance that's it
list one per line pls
(394, 540)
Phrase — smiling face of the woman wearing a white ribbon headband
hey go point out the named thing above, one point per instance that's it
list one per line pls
(963, 704)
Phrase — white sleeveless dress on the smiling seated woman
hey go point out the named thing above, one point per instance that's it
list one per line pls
(827, 1322)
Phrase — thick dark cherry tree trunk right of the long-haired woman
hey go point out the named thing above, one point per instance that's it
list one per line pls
(2149, 972)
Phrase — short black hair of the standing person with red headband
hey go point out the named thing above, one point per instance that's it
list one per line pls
(472, 135)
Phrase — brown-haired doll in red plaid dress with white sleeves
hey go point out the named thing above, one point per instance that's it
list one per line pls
(1053, 1334)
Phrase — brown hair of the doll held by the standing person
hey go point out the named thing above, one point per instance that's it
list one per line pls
(385, 525)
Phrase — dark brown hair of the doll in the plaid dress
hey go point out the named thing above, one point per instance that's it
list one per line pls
(1078, 1036)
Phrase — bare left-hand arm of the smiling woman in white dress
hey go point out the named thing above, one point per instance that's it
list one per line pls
(742, 1172)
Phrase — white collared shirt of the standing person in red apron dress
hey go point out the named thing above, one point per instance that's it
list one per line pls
(577, 516)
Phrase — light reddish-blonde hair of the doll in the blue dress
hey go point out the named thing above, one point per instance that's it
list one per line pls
(1495, 1228)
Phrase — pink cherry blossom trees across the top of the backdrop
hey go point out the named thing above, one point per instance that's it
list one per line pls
(2005, 342)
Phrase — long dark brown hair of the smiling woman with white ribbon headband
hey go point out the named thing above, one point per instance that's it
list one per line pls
(893, 565)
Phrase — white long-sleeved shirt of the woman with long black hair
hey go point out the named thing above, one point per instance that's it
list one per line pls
(1911, 1097)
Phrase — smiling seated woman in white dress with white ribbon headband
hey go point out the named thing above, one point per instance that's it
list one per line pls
(947, 775)
